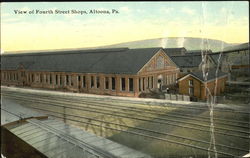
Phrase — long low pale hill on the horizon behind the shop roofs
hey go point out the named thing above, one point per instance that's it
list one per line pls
(171, 42)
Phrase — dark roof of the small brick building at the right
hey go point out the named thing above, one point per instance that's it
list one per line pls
(210, 77)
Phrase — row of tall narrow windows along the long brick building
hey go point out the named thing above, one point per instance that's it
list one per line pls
(109, 82)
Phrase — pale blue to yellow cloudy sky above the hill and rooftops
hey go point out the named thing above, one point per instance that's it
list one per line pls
(227, 21)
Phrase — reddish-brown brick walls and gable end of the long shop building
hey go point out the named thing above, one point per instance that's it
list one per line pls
(70, 81)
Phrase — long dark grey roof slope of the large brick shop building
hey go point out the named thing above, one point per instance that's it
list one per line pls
(109, 61)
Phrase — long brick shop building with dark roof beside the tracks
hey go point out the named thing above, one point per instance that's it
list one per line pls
(118, 71)
